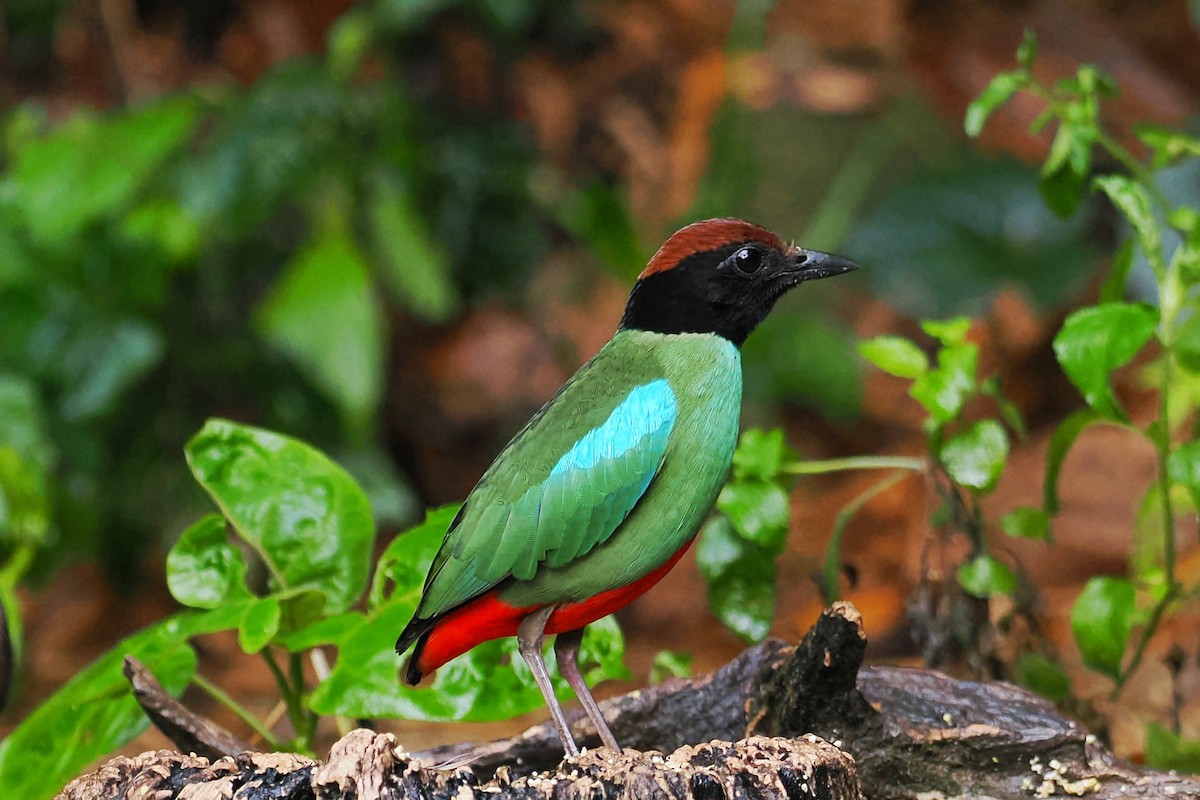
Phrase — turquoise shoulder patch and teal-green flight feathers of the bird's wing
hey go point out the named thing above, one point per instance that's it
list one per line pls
(587, 495)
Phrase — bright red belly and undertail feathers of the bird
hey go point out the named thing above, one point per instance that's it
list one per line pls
(488, 618)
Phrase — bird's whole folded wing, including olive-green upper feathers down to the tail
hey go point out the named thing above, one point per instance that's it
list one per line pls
(561, 488)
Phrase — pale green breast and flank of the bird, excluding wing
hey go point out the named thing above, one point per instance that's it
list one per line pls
(705, 374)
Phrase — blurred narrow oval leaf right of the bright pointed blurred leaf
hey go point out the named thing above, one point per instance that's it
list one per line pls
(413, 264)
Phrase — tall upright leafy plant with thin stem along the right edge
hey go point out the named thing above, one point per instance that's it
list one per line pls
(1097, 341)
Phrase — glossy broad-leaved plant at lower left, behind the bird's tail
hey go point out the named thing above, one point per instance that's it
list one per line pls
(309, 525)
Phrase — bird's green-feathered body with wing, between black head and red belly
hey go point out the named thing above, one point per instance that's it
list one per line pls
(586, 462)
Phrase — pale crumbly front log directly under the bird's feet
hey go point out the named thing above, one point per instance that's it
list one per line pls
(367, 766)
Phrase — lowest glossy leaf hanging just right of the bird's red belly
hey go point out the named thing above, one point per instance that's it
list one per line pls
(741, 580)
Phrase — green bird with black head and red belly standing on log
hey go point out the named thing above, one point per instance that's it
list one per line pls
(607, 486)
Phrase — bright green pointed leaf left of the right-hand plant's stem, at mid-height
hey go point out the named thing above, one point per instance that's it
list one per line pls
(1097, 340)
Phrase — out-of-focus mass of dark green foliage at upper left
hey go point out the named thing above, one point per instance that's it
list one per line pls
(148, 256)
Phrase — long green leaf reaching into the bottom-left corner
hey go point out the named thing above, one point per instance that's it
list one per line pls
(95, 713)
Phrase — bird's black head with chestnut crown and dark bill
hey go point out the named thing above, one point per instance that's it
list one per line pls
(722, 276)
